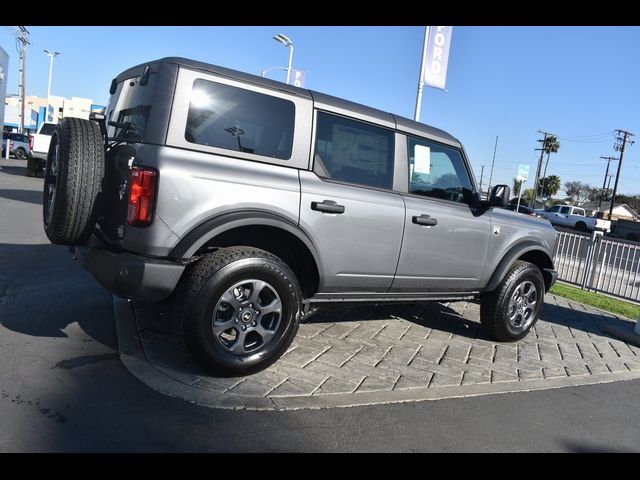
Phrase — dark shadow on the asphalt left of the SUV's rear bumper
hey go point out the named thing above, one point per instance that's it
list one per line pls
(42, 292)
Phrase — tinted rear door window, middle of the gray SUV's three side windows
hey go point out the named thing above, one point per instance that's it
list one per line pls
(354, 152)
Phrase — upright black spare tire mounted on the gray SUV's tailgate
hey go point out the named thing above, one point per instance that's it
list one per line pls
(72, 182)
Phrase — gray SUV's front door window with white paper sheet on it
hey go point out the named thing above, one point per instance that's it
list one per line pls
(437, 171)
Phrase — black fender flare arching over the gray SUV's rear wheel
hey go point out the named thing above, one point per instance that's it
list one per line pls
(212, 227)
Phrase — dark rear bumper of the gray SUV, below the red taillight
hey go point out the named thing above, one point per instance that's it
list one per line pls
(128, 275)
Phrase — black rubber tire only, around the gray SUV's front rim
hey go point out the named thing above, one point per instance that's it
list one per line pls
(494, 309)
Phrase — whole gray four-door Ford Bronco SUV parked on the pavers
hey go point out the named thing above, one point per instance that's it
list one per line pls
(249, 204)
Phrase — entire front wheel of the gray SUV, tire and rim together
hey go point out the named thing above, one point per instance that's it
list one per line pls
(512, 309)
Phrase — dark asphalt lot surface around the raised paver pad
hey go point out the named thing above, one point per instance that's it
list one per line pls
(63, 387)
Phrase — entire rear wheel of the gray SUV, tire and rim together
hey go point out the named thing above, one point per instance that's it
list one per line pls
(240, 310)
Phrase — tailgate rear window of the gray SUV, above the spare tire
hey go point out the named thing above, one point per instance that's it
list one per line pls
(129, 109)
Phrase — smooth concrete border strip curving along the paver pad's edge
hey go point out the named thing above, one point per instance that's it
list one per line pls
(135, 360)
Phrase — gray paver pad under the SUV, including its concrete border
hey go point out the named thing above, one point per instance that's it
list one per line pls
(379, 354)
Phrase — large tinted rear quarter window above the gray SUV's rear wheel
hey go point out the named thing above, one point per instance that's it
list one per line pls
(240, 120)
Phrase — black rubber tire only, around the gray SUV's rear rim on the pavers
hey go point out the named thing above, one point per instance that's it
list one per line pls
(202, 287)
